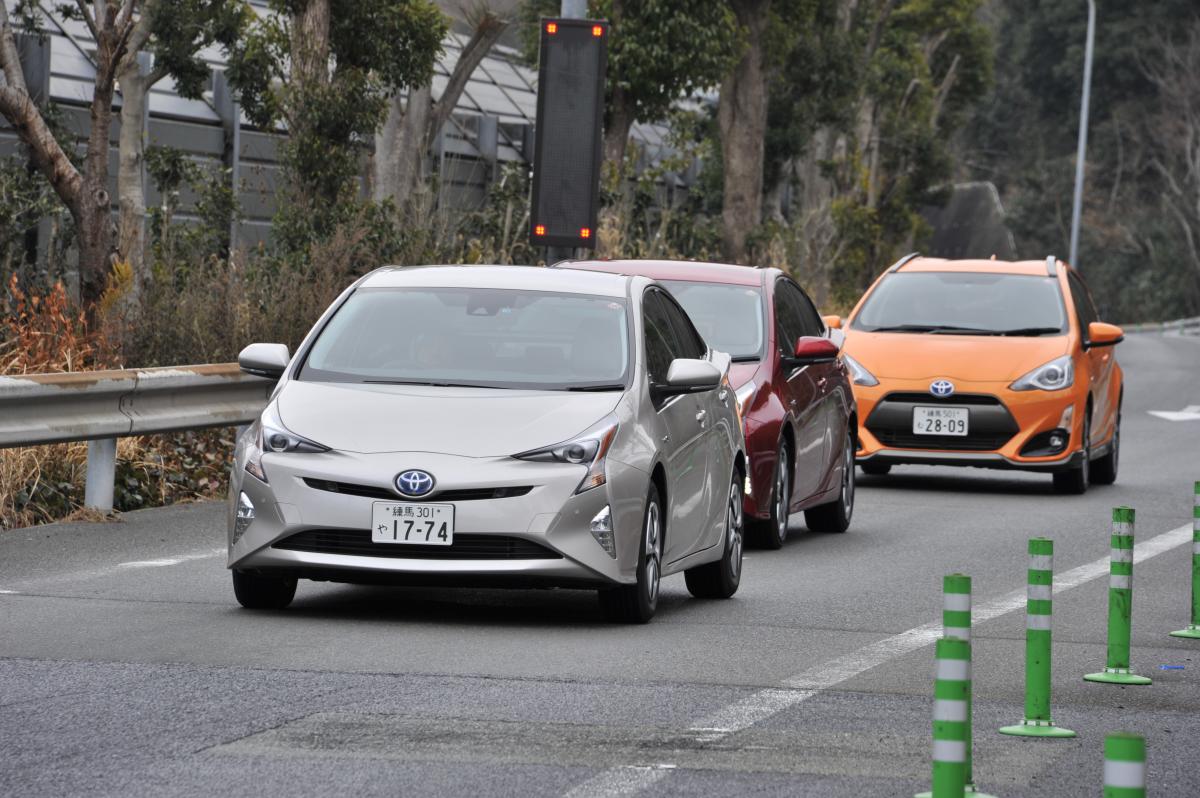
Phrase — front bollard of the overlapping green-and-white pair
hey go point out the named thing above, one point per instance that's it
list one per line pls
(952, 730)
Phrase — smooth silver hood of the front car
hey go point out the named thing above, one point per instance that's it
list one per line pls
(466, 422)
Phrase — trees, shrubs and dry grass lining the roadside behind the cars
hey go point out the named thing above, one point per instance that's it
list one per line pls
(851, 117)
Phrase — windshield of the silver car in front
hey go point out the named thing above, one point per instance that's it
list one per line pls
(483, 338)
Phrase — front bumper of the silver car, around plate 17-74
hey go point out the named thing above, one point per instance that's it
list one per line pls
(550, 515)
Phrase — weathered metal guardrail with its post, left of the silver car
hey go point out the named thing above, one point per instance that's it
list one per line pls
(104, 406)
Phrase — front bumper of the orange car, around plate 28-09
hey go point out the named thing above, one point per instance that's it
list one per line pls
(1006, 429)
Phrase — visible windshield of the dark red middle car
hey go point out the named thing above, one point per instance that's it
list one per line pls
(729, 317)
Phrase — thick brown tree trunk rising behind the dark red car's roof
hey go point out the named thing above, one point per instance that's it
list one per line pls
(742, 118)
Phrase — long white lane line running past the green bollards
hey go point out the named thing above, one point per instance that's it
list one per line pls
(767, 703)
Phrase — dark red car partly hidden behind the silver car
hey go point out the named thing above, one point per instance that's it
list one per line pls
(796, 404)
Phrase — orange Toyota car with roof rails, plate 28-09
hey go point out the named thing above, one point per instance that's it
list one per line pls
(989, 364)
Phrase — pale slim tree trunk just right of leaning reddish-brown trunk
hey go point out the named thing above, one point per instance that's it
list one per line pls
(131, 170)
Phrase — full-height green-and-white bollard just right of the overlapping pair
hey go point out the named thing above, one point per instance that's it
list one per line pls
(1039, 613)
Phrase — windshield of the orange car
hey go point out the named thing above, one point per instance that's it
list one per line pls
(955, 303)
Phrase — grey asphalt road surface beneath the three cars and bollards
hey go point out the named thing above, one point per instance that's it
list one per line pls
(127, 669)
